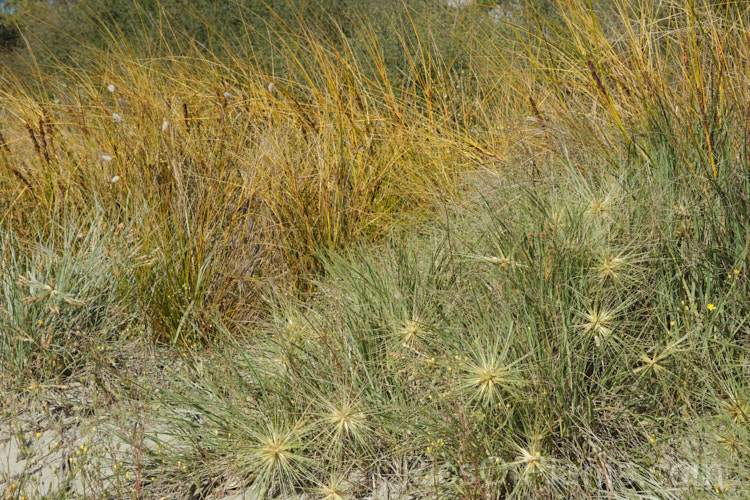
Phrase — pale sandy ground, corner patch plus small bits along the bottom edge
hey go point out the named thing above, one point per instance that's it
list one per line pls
(60, 446)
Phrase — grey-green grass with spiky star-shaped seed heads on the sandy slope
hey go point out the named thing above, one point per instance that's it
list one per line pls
(529, 373)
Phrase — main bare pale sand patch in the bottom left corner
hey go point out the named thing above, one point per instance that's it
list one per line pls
(55, 444)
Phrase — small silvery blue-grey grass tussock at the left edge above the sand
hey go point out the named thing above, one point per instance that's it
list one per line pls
(60, 297)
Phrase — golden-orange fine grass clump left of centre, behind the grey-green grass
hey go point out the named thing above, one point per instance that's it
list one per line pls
(233, 180)
